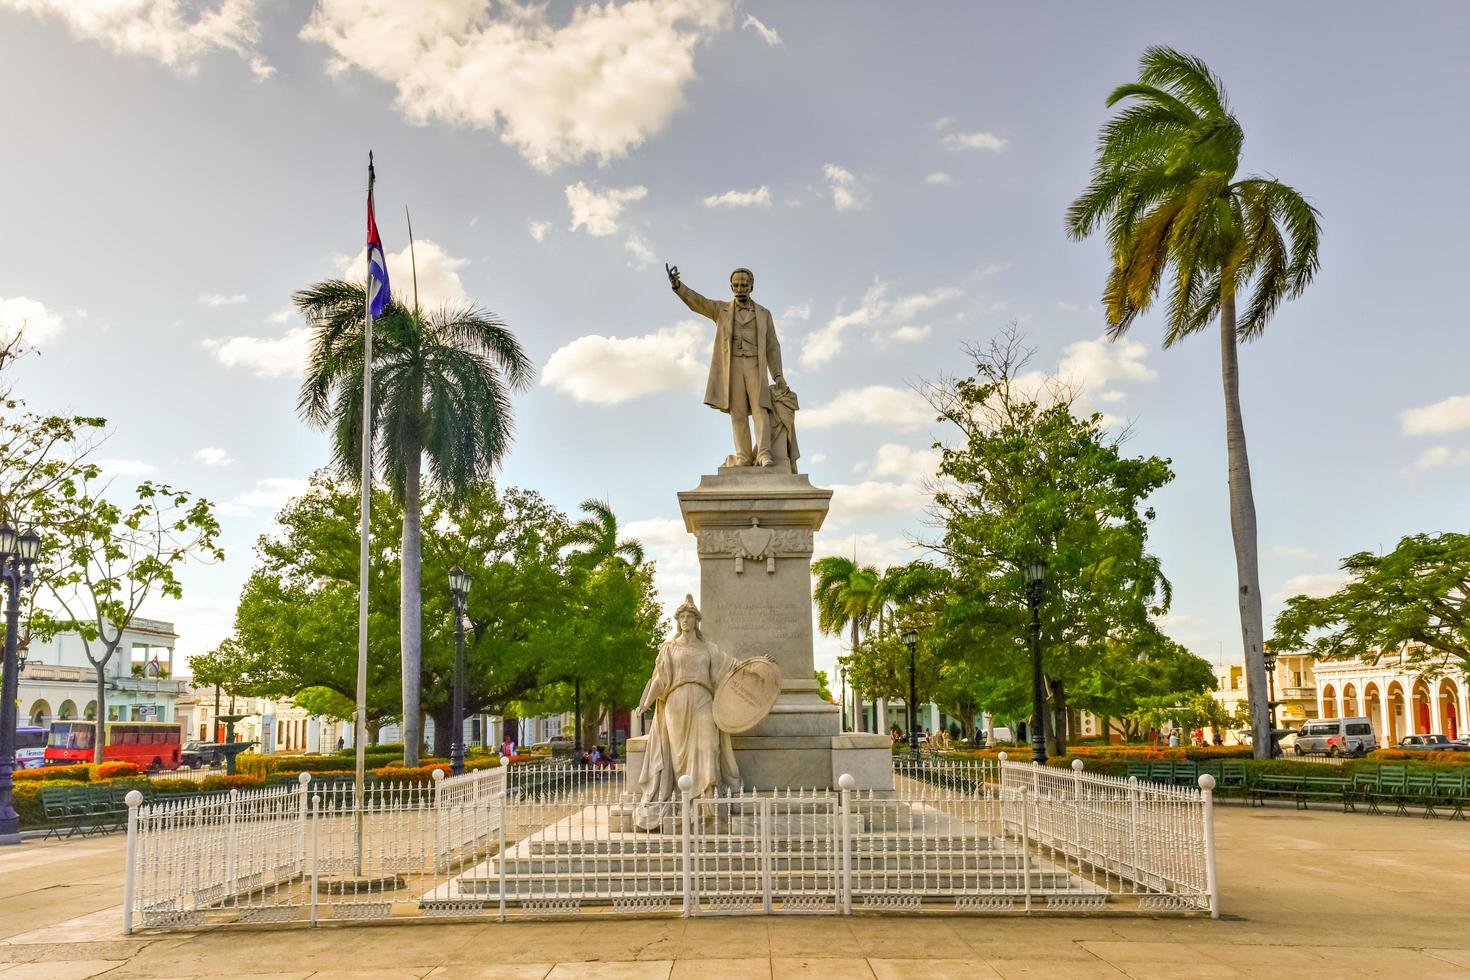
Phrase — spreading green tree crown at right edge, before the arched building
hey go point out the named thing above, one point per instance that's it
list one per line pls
(1415, 602)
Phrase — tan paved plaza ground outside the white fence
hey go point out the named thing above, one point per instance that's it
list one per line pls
(1306, 896)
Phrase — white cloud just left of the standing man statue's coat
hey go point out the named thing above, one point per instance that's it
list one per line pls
(615, 370)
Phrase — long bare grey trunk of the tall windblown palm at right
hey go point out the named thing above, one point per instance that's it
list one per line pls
(1243, 531)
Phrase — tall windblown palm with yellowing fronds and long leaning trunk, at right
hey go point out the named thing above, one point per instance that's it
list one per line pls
(1166, 193)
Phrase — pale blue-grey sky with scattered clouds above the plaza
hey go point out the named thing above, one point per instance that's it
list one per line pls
(896, 176)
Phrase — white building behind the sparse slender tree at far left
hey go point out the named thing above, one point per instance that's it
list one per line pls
(58, 682)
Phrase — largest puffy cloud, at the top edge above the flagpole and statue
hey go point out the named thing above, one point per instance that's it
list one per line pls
(595, 84)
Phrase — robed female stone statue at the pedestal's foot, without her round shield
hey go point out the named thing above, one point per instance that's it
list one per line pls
(684, 737)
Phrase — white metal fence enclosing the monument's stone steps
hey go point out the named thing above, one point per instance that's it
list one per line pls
(561, 840)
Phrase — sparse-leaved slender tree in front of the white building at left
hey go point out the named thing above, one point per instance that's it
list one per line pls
(105, 561)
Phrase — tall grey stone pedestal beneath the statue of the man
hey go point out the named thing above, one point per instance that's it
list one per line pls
(755, 530)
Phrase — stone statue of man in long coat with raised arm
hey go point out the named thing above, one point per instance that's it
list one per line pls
(746, 361)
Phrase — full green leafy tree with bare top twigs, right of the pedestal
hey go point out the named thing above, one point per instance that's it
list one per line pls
(1028, 480)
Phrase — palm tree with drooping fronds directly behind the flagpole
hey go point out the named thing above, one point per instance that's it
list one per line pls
(442, 393)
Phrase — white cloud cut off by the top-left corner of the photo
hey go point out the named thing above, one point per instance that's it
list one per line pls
(174, 33)
